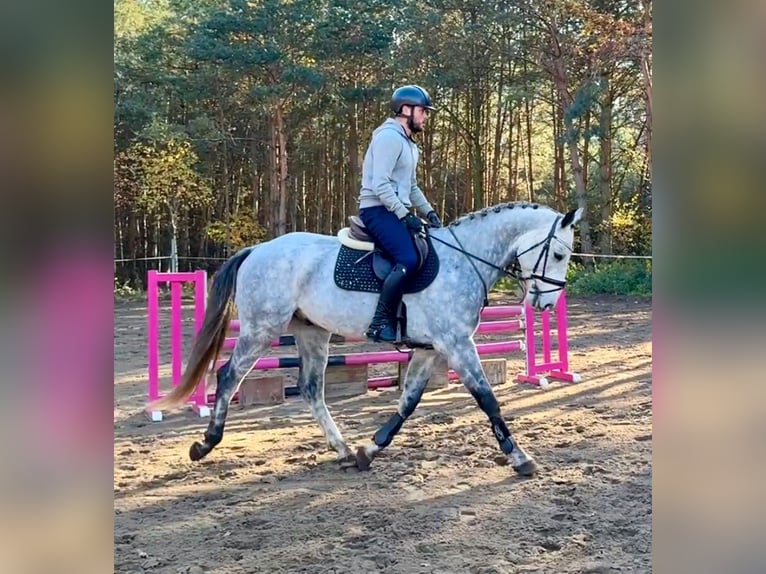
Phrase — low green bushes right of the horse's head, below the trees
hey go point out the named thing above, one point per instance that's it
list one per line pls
(621, 277)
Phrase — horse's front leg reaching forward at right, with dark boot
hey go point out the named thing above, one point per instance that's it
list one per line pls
(465, 360)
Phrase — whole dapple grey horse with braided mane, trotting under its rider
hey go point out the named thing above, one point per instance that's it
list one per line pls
(287, 285)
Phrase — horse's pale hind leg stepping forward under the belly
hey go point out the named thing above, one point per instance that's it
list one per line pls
(313, 347)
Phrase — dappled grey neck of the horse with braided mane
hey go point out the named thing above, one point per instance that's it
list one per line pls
(491, 236)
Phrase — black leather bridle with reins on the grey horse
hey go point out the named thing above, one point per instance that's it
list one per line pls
(513, 269)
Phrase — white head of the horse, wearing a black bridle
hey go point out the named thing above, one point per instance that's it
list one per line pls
(542, 258)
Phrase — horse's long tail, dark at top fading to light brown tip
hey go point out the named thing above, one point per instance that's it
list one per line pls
(210, 338)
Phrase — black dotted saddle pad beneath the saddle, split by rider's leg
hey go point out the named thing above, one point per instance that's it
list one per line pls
(354, 271)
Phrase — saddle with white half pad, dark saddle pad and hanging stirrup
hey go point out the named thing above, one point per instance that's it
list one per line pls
(363, 266)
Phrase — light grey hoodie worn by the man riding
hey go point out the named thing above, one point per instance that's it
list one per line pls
(388, 172)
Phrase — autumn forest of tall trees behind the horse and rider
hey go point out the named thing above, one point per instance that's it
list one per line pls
(237, 121)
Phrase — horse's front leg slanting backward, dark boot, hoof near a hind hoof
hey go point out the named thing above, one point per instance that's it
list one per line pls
(418, 372)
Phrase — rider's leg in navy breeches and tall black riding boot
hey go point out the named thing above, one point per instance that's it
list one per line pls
(395, 239)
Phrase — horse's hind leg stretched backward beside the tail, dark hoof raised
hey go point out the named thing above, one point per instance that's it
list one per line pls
(248, 349)
